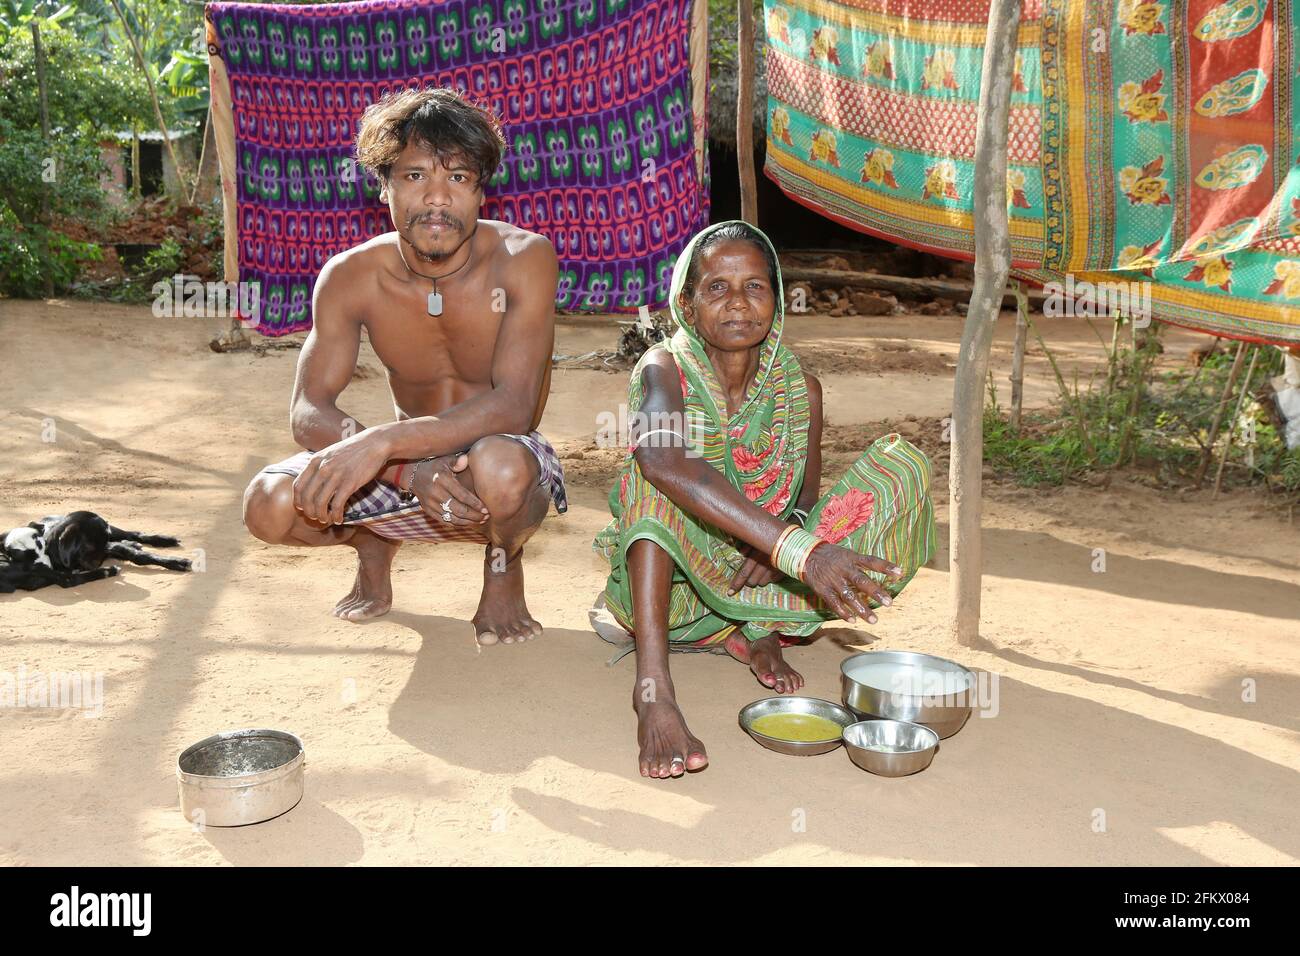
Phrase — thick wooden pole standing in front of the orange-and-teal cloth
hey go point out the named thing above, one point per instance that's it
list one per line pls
(993, 265)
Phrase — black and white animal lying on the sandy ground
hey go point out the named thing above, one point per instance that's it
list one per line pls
(71, 550)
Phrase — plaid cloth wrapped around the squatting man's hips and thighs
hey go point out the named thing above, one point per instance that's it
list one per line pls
(379, 505)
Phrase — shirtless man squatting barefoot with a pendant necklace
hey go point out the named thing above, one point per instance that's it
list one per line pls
(461, 313)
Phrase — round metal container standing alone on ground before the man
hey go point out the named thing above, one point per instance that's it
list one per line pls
(241, 777)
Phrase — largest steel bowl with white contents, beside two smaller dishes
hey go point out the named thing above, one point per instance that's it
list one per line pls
(918, 694)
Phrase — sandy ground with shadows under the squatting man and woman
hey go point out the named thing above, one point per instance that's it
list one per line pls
(1121, 733)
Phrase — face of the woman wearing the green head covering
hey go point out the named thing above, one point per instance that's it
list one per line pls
(734, 304)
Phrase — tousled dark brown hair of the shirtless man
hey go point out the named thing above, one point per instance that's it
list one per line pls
(440, 120)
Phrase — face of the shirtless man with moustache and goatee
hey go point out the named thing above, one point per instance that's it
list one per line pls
(435, 206)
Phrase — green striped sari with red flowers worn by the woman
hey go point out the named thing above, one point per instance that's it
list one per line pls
(881, 507)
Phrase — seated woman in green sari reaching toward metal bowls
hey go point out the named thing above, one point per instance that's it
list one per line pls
(708, 546)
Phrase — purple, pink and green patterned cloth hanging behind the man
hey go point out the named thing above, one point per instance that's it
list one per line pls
(597, 100)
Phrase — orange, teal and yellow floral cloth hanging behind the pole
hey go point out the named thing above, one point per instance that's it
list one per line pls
(1150, 142)
